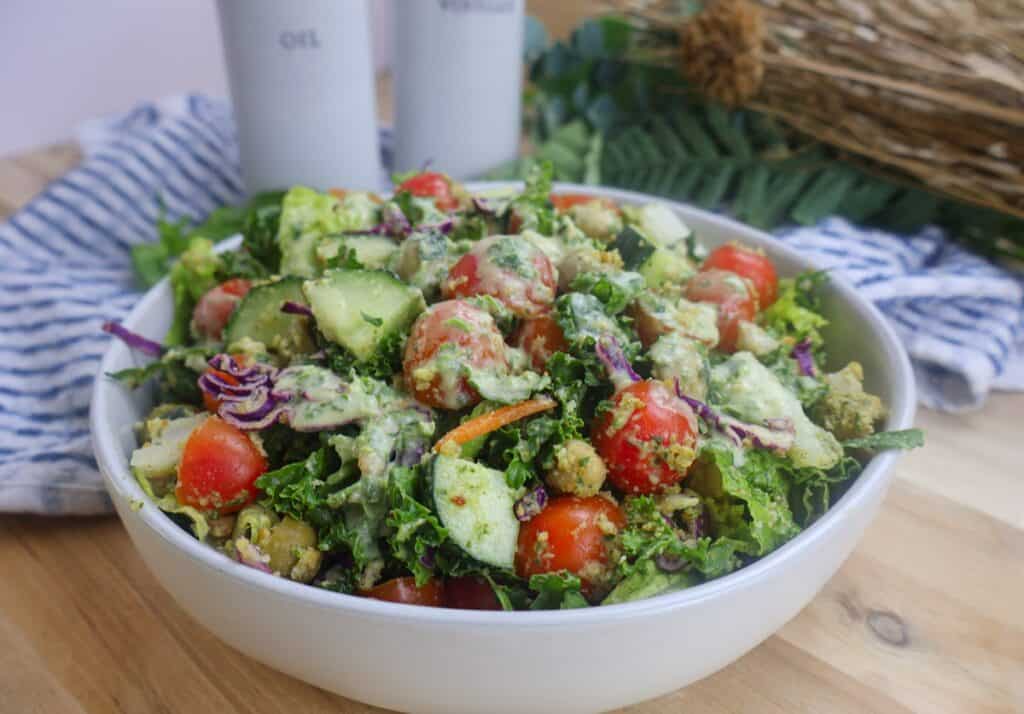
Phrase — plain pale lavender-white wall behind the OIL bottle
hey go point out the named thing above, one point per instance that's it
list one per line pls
(63, 62)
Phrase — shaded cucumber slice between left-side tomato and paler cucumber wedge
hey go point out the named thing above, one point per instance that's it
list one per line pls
(259, 317)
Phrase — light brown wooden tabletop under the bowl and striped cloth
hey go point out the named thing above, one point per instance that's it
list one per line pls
(926, 616)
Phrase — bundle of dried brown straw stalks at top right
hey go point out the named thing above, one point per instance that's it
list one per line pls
(934, 89)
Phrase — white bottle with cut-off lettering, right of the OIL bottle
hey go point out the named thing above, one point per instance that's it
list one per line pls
(458, 85)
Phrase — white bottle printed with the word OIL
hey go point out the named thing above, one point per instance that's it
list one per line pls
(303, 88)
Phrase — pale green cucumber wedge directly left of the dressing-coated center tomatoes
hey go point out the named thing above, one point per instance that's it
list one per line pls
(361, 310)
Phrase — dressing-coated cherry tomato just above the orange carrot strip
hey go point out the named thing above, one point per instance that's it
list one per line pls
(468, 335)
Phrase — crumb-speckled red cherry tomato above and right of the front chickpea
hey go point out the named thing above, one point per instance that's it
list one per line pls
(648, 439)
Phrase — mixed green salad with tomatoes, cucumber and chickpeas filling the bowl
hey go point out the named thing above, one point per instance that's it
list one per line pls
(517, 400)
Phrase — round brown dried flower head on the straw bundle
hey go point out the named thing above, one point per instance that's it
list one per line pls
(721, 51)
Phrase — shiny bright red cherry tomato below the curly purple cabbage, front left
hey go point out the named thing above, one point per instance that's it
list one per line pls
(220, 468)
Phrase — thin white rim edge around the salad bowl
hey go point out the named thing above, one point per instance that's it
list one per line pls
(122, 485)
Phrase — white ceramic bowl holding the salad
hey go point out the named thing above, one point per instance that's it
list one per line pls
(424, 659)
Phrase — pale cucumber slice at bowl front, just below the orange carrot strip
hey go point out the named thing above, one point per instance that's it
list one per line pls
(476, 506)
